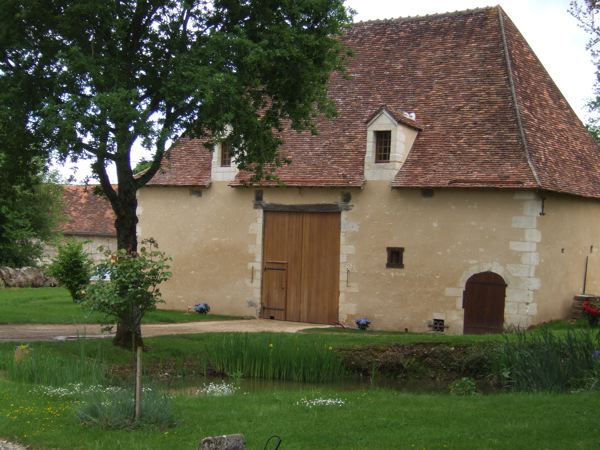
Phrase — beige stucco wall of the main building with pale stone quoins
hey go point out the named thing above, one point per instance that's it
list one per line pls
(215, 238)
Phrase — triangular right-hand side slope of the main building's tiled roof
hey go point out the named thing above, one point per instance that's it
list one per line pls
(562, 153)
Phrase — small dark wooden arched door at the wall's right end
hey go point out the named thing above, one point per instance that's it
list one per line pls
(483, 302)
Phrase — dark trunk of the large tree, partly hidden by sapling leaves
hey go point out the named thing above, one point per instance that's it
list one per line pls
(129, 333)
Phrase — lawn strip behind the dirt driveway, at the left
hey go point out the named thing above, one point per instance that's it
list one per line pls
(54, 305)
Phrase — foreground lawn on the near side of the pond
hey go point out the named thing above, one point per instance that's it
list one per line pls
(371, 419)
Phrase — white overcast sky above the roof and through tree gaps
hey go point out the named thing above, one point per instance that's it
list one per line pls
(547, 26)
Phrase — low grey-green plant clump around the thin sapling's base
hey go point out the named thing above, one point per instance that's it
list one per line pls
(113, 409)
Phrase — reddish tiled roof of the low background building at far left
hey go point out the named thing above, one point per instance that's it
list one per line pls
(87, 214)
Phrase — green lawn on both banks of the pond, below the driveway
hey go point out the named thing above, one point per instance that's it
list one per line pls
(369, 418)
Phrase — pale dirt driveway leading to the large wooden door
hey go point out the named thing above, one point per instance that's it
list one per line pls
(36, 332)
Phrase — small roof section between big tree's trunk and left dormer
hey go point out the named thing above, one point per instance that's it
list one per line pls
(187, 163)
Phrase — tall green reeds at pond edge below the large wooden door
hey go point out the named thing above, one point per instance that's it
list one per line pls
(275, 357)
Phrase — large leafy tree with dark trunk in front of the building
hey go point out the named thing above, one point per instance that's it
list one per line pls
(90, 78)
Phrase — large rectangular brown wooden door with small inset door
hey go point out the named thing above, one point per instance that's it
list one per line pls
(301, 266)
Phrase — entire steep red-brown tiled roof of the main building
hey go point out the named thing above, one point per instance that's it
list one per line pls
(489, 114)
